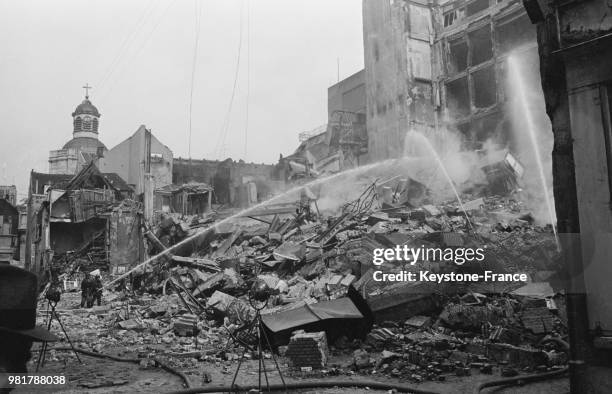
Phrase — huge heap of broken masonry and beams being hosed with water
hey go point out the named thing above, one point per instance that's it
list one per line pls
(195, 297)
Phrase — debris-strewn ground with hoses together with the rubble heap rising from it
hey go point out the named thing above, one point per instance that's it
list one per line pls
(326, 318)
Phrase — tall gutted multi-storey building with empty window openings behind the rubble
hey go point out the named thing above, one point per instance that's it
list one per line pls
(432, 65)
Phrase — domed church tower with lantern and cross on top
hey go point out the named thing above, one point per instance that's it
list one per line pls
(84, 146)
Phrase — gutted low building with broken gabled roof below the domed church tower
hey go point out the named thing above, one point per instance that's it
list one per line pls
(81, 218)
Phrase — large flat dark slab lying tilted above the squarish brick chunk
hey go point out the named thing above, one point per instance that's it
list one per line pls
(342, 308)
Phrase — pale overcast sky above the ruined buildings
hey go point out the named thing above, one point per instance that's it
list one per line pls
(138, 56)
